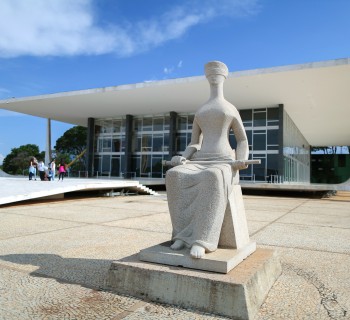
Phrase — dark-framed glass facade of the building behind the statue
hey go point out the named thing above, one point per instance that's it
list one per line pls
(269, 130)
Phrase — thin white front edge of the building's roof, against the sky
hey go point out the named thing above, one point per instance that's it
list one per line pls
(234, 74)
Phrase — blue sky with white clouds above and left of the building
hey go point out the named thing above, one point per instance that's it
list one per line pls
(50, 46)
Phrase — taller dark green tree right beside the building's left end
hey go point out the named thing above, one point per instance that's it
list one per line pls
(72, 144)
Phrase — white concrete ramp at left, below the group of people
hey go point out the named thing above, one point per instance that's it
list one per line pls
(21, 189)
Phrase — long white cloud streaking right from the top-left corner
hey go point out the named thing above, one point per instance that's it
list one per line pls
(66, 27)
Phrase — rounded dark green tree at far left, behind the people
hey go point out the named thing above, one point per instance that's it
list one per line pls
(18, 159)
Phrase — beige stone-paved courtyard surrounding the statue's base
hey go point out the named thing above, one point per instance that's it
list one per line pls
(54, 256)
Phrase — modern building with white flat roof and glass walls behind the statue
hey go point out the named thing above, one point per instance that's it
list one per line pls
(132, 128)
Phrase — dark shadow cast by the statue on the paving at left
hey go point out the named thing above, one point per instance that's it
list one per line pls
(90, 273)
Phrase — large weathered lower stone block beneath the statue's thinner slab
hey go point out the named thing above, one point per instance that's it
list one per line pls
(237, 294)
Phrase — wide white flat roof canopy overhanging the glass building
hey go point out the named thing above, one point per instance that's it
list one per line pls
(315, 95)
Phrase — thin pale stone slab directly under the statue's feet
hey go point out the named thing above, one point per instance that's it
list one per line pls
(222, 260)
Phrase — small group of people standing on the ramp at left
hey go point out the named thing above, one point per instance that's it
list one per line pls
(46, 173)
